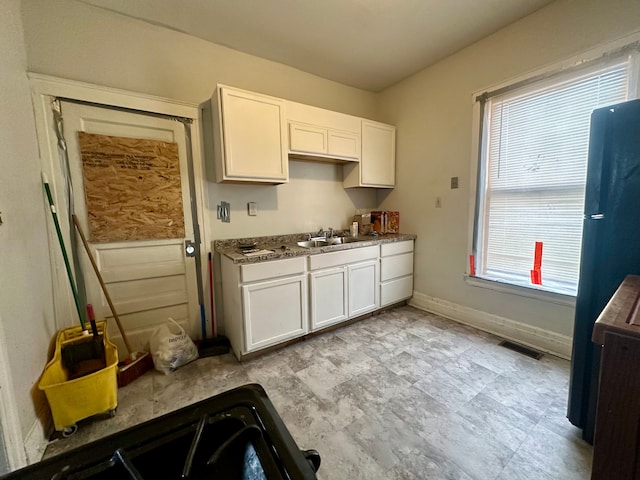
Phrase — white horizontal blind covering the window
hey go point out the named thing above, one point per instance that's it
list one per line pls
(534, 166)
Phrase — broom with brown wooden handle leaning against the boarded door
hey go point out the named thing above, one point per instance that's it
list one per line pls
(137, 363)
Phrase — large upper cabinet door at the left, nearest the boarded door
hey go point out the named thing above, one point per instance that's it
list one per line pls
(253, 137)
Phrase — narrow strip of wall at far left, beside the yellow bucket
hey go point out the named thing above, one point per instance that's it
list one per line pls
(25, 283)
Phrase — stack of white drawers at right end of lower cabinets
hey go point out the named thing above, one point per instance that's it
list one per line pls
(396, 272)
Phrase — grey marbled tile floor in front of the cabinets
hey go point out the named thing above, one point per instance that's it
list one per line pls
(401, 395)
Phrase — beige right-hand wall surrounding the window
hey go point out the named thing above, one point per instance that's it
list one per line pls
(433, 113)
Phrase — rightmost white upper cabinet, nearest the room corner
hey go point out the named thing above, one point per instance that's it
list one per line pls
(377, 167)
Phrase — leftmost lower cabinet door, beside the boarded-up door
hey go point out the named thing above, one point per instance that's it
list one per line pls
(274, 311)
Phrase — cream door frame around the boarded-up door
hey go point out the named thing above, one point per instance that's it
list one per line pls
(44, 89)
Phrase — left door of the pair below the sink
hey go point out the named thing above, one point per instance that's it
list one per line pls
(328, 297)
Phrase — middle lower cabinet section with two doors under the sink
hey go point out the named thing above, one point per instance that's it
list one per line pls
(344, 285)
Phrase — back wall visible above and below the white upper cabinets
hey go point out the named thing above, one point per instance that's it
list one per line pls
(73, 40)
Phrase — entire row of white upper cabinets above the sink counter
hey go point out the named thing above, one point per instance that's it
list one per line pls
(254, 136)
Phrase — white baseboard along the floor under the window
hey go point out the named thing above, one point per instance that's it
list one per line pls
(534, 337)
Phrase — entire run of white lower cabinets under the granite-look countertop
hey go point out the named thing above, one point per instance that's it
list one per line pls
(268, 303)
